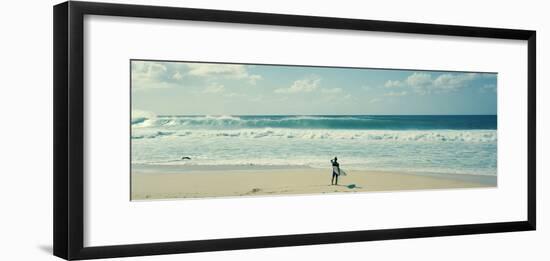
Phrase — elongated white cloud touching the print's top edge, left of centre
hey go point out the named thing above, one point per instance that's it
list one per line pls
(232, 71)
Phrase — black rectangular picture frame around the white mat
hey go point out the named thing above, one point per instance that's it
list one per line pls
(69, 128)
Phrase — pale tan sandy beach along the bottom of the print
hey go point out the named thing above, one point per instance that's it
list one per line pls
(199, 182)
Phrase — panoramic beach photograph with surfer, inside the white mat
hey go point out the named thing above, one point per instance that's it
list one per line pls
(202, 130)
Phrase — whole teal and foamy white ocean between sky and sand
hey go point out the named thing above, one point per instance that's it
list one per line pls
(453, 144)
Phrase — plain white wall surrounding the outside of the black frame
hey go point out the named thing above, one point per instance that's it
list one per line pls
(26, 130)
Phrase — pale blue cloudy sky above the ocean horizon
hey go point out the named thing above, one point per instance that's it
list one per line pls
(182, 88)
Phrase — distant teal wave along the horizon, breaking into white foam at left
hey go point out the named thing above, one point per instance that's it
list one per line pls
(316, 122)
